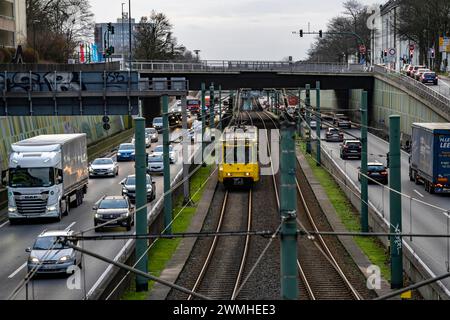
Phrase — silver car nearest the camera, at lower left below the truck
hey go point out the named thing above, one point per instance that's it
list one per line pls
(50, 256)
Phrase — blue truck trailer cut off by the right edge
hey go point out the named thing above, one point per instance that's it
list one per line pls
(429, 162)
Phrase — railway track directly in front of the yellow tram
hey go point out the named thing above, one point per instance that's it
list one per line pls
(222, 270)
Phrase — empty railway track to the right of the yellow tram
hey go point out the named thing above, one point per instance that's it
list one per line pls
(320, 274)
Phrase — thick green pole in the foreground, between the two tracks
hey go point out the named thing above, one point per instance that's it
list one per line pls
(288, 213)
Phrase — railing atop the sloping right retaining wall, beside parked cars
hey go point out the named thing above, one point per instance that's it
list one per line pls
(437, 99)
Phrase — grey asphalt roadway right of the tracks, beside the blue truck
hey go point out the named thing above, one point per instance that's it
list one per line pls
(417, 216)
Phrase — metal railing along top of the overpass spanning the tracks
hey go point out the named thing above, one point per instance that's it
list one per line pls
(238, 65)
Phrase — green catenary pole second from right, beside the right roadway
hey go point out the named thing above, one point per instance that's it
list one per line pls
(364, 182)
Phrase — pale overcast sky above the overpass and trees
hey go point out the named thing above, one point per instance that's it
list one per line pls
(235, 29)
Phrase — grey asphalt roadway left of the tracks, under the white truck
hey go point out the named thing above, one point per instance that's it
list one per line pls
(14, 239)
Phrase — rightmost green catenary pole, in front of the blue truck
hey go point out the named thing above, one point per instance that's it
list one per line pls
(395, 202)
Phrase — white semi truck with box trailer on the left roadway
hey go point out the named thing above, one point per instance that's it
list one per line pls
(47, 175)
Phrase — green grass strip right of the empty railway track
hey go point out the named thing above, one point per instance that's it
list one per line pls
(371, 246)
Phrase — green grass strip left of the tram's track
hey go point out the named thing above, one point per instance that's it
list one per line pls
(163, 249)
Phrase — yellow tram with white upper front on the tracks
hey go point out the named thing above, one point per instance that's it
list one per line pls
(239, 157)
